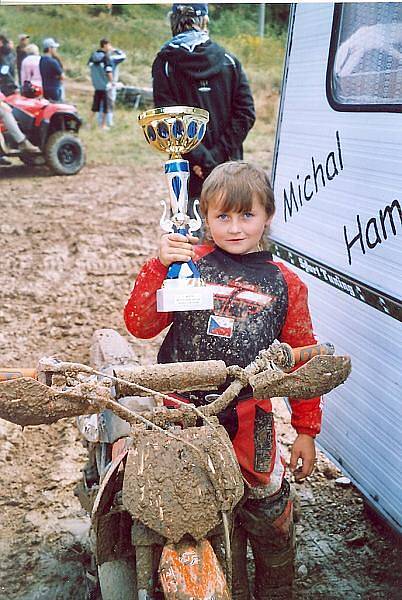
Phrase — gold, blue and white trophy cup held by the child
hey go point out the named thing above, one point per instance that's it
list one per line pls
(177, 130)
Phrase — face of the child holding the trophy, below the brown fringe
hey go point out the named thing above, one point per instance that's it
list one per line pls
(237, 232)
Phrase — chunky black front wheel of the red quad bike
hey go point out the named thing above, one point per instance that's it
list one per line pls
(64, 153)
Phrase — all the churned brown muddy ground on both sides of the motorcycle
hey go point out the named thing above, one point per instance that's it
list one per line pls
(70, 248)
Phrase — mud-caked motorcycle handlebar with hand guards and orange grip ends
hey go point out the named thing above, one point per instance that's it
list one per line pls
(87, 397)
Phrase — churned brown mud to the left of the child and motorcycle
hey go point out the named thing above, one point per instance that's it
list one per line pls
(71, 248)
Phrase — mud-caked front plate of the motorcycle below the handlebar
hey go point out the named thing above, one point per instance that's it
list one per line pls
(181, 485)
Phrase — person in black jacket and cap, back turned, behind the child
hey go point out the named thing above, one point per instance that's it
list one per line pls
(192, 70)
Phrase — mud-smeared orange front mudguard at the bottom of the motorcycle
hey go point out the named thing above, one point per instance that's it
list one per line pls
(191, 571)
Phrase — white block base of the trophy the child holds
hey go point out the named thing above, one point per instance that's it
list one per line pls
(184, 294)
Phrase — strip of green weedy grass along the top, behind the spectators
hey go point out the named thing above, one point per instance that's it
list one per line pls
(140, 30)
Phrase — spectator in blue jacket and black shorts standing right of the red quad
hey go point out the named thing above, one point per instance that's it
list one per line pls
(101, 70)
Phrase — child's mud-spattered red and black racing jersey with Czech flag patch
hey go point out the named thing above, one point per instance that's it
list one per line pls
(256, 301)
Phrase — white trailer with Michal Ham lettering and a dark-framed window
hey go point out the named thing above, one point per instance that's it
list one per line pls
(338, 184)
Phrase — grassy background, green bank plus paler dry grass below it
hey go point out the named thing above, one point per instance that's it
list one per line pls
(141, 29)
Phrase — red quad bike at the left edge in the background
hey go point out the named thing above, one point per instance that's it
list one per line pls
(52, 127)
